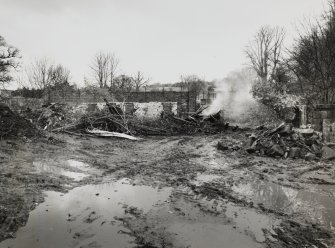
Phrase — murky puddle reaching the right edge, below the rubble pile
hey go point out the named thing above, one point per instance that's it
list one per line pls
(318, 201)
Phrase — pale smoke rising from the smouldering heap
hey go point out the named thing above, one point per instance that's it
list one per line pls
(233, 95)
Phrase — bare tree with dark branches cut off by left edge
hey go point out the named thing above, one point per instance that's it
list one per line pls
(8, 60)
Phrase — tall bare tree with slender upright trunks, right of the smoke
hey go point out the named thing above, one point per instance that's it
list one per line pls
(265, 50)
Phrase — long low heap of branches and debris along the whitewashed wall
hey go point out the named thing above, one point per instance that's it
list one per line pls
(112, 121)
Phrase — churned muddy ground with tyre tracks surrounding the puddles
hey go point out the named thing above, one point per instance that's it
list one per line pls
(179, 162)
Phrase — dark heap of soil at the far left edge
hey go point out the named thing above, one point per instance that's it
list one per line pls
(12, 125)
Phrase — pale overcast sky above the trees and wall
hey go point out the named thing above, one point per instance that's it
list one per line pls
(164, 39)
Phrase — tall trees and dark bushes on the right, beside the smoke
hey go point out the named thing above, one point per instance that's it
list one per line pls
(301, 74)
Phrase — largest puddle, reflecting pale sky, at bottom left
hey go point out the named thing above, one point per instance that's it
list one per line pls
(86, 216)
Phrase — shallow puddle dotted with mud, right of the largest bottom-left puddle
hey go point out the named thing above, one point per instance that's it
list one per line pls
(229, 226)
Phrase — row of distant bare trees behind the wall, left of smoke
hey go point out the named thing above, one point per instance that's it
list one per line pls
(42, 78)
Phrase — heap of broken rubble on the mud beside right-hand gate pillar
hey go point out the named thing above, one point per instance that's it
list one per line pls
(286, 142)
